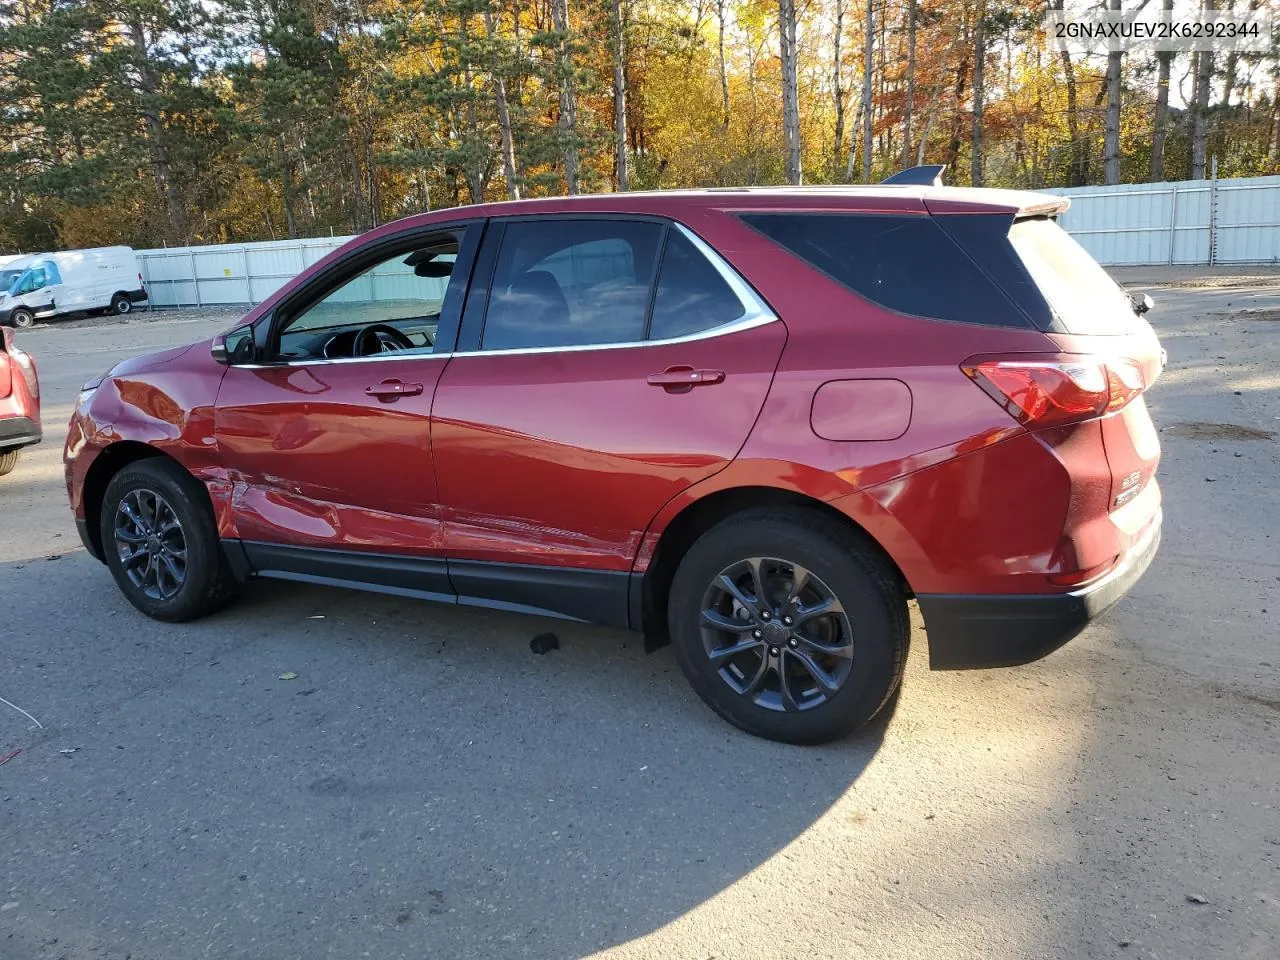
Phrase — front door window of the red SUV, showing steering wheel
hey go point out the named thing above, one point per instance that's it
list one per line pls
(394, 307)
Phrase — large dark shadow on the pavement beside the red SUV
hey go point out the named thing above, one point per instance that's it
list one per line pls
(344, 772)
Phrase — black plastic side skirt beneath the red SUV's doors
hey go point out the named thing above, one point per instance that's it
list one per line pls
(588, 596)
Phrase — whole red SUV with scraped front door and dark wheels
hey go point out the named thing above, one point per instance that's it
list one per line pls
(751, 423)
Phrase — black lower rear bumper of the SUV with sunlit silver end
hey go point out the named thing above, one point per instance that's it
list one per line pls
(975, 632)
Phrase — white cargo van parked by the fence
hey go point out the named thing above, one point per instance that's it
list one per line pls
(71, 282)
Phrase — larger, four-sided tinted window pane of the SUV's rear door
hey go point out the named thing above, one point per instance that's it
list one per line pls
(569, 284)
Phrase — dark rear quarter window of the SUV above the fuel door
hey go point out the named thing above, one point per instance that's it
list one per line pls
(908, 264)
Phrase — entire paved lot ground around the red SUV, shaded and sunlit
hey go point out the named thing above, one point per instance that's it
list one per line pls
(428, 788)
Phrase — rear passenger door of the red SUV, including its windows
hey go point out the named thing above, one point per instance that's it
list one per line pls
(606, 365)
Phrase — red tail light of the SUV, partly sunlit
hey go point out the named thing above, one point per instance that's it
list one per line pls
(1063, 390)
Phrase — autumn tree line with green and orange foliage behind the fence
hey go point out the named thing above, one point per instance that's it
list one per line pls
(150, 122)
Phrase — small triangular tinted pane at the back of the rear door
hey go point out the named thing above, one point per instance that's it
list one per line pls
(692, 294)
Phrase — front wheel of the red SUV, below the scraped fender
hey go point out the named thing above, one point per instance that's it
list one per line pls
(184, 574)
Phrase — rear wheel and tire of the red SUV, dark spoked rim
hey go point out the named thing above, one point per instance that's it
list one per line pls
(767, 689)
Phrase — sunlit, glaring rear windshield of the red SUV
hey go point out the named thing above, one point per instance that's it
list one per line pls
(1081, 292)
